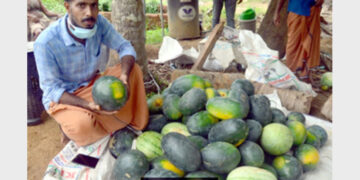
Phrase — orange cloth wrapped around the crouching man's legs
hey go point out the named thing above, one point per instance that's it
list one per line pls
(85, 127)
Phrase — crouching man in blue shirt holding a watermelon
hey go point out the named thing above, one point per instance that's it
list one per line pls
(67, 58)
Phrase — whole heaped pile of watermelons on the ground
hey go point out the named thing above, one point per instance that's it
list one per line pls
(197, 131)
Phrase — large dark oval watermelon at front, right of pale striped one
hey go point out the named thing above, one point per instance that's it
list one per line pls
(181, 152)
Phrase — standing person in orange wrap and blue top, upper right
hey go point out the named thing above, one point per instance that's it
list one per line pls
(303, 43)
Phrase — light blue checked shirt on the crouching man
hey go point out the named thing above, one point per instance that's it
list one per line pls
(64, 64)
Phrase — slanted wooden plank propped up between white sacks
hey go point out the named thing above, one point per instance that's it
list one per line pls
(213, 37)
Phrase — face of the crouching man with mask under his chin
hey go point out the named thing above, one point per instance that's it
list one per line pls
(82, 13)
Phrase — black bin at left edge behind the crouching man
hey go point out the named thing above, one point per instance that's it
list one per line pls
(34, 93)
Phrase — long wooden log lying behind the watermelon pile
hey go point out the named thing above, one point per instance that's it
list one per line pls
(291, 99)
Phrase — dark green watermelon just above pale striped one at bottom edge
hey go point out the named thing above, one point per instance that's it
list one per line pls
(251, 154)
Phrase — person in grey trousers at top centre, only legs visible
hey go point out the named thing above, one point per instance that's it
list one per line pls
(230, 7)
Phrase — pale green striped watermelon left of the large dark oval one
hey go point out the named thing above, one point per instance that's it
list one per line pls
(149, 143)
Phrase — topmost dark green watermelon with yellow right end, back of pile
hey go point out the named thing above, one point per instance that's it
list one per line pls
(184, 83)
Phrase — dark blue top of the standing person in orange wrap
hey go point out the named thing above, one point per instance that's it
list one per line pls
(301, 7)
